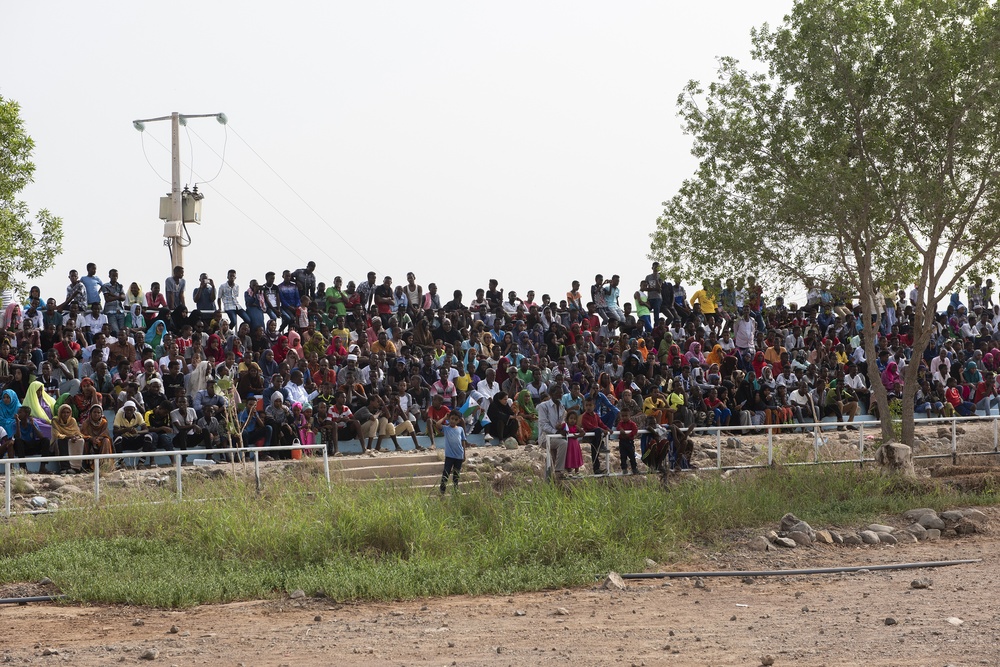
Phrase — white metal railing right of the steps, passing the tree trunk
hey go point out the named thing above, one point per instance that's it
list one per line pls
(816, 429)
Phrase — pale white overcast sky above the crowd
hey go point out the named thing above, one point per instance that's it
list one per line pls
(532, 142)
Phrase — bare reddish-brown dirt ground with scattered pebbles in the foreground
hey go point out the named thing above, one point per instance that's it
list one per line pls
(829, 620)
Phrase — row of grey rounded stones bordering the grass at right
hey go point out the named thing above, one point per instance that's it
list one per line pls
(923, 524)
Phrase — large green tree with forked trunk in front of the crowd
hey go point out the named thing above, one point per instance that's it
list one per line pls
(864, 153)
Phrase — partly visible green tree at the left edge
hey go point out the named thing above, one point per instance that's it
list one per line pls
(28, 245)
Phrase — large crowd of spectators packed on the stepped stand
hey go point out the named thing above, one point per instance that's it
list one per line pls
(179, 366)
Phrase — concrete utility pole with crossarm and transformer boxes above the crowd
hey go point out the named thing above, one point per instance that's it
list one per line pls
(175, 216)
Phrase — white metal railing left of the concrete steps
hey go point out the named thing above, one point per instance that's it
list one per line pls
(176, 455)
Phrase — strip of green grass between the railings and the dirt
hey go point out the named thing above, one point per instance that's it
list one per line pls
(381, 542)
